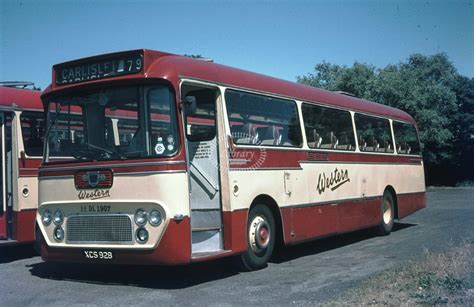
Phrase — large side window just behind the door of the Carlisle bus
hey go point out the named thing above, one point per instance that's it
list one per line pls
(261, 120)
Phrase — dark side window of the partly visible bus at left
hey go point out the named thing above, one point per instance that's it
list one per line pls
(32, 129)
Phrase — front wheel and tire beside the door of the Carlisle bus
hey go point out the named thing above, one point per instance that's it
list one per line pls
(260, 235)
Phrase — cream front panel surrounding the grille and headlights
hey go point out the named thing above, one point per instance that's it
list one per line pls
(128, 194)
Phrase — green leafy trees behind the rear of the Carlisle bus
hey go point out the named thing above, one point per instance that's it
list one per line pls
(427, 87)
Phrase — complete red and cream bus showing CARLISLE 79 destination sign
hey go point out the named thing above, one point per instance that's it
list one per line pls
(177, 160)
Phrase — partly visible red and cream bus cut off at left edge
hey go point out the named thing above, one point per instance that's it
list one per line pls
(21, 150)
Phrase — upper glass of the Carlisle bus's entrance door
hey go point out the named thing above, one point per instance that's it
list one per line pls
(201, 121)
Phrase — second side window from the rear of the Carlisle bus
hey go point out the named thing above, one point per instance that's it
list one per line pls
(373, 134)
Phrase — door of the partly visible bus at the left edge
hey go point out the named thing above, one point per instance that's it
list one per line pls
(6, 204)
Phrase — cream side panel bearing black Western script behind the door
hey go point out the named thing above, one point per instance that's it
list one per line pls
(350, 181)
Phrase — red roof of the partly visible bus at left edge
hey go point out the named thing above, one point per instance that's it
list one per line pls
(16, 98)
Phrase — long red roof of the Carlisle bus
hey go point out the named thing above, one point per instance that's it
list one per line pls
(171, 66)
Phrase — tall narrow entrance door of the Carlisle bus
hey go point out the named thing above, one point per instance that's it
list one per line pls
(203, 165)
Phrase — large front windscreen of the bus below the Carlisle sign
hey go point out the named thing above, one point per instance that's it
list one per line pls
(112, 123)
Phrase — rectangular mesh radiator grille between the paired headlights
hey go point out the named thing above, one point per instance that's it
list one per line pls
(111, 229)
